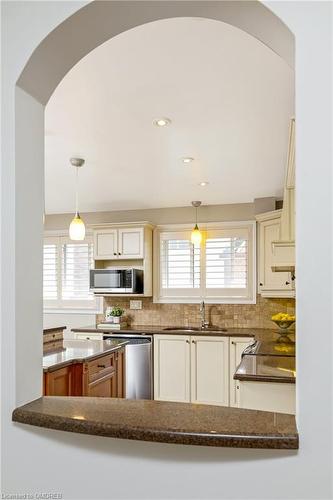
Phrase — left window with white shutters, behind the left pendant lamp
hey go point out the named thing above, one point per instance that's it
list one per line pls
(66, 274)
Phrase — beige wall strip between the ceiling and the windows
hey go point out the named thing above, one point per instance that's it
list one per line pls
(209, 213)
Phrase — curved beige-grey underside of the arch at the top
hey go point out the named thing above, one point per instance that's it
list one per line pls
(99, 21)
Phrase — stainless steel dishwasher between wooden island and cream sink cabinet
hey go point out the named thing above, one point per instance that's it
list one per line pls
(138, 364)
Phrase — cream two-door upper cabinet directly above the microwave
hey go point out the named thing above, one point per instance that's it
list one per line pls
(114, 243)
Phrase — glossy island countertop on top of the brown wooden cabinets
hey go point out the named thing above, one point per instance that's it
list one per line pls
(79, 351)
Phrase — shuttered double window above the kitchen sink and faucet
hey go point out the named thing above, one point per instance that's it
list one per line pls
(220, 270)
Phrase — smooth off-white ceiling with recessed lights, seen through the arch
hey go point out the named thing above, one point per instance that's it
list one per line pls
(229, 99)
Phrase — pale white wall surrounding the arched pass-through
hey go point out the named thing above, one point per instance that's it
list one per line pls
(40, 460)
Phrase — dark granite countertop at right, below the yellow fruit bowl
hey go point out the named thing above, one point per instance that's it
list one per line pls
(265, 368)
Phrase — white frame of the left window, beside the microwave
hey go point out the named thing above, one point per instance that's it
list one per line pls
(61, 306)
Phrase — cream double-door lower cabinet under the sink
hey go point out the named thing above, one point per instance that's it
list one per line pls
(191, 369)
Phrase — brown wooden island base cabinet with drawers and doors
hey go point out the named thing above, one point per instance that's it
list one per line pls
(101, 377)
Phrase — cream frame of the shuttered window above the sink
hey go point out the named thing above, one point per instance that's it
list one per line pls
(209, 295)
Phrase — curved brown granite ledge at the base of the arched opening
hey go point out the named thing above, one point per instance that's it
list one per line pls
(159, 421)
